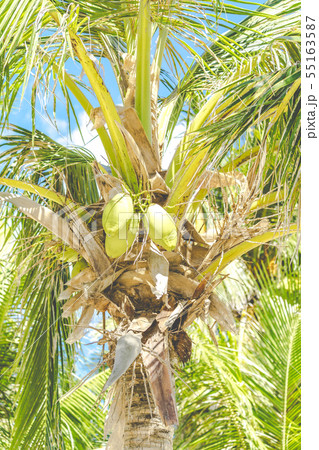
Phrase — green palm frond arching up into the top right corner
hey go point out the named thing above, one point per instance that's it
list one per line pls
(275, 41)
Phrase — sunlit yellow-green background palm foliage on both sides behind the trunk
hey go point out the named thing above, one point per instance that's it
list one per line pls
(243, 393)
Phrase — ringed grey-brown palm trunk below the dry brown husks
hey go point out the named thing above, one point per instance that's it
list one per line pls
(142, 425)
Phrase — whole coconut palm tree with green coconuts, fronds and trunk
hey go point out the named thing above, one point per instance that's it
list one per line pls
(237, 162)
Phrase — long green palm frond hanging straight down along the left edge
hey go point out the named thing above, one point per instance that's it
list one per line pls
(40, 356)
